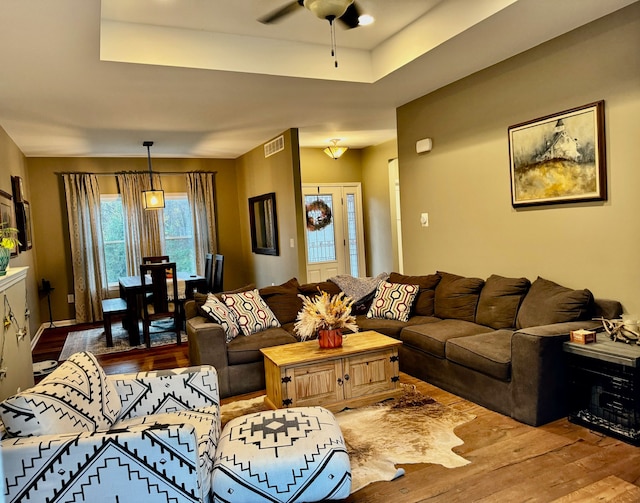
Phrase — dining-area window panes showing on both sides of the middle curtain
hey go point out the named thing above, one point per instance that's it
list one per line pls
(178, 234)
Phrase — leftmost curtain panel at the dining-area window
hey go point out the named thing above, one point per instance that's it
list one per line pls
(85, 232)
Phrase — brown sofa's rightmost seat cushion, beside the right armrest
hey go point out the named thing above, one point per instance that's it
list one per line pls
(489, 353)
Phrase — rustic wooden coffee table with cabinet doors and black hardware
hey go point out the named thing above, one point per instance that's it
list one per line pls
(364, 370)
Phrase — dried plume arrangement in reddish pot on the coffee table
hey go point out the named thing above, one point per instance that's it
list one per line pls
(325, 316)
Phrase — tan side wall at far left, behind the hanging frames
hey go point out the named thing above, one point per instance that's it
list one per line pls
(13, 163)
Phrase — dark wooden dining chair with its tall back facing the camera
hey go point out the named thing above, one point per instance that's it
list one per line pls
(162, 281)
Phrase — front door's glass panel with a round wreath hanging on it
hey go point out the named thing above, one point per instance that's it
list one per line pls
(321, 241)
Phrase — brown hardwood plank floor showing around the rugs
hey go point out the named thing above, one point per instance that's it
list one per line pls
(510, 461)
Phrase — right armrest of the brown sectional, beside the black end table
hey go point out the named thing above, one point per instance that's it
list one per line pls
(538, 371)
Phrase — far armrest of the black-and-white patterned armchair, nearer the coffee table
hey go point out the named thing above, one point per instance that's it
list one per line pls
(147, 393)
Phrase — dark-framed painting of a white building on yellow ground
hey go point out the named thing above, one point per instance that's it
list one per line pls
(559, 158)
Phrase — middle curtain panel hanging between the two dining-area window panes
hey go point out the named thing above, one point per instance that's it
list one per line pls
(143, 229)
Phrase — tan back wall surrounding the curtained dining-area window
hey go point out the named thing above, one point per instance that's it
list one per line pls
(50, 224)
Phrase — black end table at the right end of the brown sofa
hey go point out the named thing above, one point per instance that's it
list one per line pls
(604, 387)
